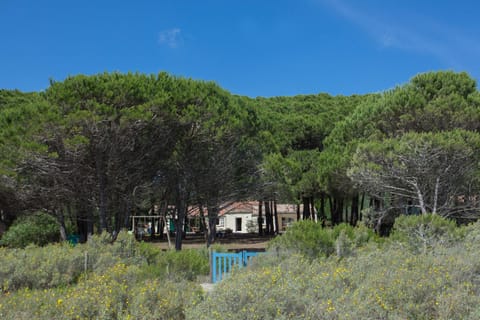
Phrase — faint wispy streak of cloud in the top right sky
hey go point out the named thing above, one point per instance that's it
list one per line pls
(411, 33)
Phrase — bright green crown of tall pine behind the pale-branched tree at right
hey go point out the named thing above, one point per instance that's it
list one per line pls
(431, 102)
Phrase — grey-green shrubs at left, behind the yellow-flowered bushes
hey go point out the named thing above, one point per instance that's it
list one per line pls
(61, 264)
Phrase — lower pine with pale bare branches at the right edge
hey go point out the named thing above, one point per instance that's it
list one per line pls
(435, 172)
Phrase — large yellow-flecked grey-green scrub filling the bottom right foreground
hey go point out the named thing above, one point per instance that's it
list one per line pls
(378, 282)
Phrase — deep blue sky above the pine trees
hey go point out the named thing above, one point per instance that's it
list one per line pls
(249, 47)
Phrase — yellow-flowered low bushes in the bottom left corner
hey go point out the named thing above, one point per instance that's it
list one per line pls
(116, 294)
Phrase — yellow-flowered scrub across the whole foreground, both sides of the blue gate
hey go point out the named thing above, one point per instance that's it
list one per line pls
(372, 281)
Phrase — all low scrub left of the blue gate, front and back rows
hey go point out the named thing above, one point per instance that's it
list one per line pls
(119, 283)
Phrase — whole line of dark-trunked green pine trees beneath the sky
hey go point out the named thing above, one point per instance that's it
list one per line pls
(94, 150)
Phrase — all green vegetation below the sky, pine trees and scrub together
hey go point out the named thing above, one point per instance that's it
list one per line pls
(91, 151)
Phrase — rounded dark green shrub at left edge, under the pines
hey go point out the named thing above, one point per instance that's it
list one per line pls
(39, 229)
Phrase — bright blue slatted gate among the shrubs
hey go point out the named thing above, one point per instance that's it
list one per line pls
(223, 263)
